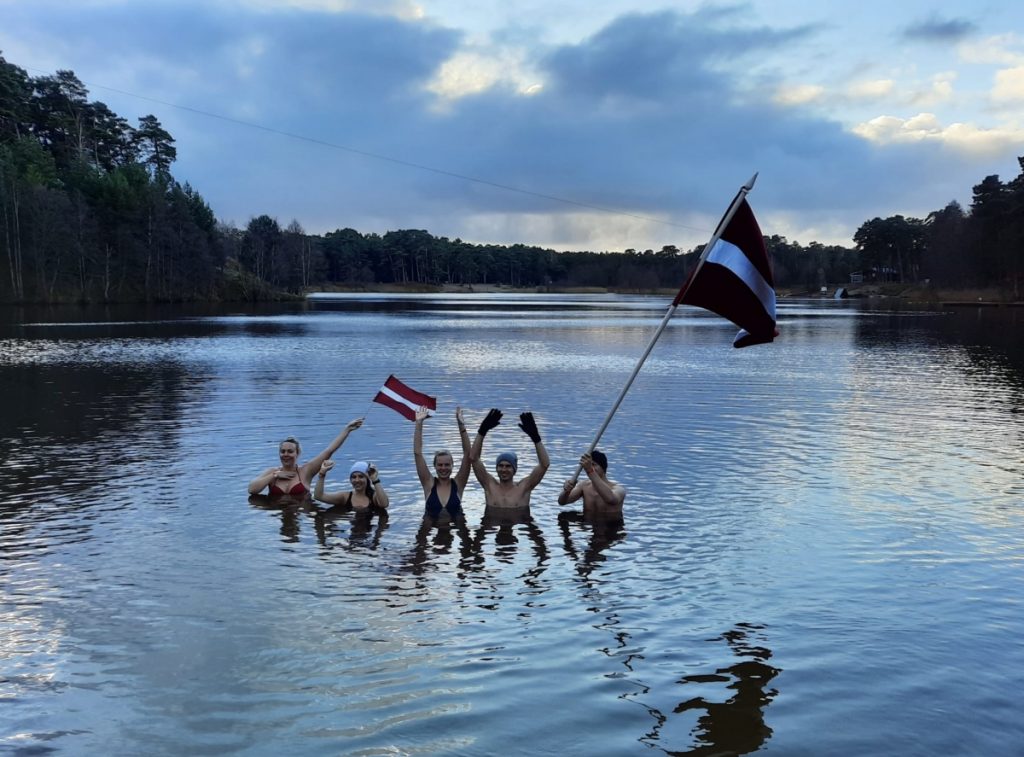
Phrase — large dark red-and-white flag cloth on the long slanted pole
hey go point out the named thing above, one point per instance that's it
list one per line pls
(736, 281)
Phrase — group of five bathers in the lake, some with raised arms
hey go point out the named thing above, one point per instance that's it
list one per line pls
(443, 491)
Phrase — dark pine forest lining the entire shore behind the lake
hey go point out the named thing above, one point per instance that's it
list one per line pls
(90, 212)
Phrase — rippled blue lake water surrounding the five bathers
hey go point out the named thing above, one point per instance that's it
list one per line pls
(823, 552)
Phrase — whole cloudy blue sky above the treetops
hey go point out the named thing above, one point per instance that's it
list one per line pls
(577, 124)
